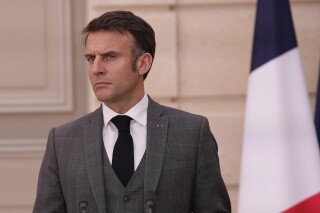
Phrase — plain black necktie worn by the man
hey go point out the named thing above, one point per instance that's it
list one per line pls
(122, 158)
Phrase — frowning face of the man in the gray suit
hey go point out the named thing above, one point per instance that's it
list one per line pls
(109, 54)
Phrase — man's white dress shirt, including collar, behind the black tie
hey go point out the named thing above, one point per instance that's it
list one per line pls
(138, 129)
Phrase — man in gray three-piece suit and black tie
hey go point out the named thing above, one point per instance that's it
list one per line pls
(132, 154)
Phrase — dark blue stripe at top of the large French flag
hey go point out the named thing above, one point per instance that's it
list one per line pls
(274, 32)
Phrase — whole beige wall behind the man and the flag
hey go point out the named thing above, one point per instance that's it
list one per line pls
(201, 65)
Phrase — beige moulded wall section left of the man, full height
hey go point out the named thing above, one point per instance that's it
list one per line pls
(42, 85)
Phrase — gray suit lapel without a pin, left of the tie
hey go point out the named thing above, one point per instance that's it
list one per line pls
(93, 157)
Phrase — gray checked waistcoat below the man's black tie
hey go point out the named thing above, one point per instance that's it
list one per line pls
(120, 199)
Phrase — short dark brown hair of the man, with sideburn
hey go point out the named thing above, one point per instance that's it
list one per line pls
(126, 22)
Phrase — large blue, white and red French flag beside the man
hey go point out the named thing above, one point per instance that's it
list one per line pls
(280, 168)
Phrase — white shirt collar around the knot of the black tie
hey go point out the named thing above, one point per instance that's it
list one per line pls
(138, 112)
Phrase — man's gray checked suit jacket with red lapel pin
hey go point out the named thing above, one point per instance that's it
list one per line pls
(182, 165)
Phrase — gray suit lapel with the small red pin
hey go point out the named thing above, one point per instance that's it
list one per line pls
(157, 126)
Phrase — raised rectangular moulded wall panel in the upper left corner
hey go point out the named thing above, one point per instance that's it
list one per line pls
(36, 54)
